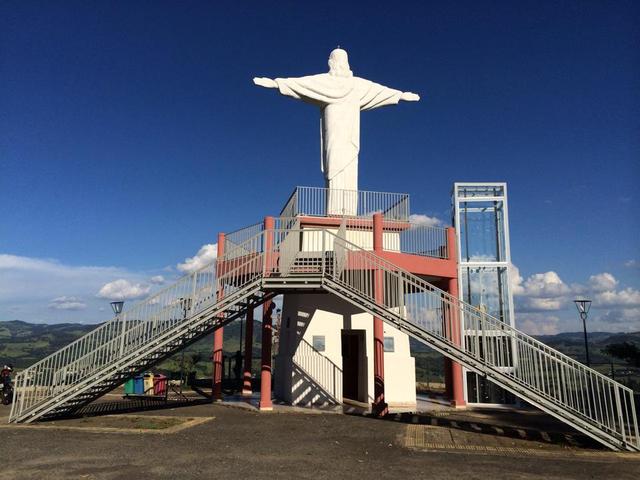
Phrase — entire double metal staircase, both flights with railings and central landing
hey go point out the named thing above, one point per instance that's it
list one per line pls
(276, 261)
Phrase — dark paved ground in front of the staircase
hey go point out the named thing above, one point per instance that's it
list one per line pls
(227, 441)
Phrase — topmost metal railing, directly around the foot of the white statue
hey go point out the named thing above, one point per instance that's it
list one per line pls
(324, 202)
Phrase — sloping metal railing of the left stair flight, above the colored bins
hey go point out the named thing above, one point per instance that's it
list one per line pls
(146, 322)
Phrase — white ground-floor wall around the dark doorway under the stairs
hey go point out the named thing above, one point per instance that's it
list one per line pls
(305, 376)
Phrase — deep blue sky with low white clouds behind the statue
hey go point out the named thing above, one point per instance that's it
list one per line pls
(131, 134)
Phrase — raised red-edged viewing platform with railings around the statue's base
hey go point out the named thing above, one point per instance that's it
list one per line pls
(422, 249)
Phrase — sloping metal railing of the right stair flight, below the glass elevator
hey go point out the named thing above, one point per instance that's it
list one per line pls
(550, 377)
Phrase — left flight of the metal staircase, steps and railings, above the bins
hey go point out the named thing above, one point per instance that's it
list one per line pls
(139, 338)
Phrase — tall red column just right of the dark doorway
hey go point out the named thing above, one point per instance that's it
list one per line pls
(379, 406)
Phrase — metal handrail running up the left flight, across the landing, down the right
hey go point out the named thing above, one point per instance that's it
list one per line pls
(543, 376)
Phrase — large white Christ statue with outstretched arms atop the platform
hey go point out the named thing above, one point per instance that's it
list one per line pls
(341, 97)
